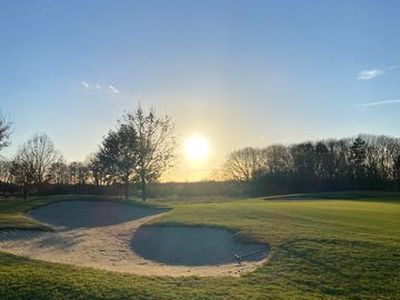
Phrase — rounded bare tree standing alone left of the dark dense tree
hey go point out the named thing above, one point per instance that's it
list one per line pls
(32, 164)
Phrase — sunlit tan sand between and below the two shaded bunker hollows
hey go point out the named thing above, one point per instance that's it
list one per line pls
(106, 248)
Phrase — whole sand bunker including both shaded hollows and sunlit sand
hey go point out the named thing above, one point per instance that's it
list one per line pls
(102, 234)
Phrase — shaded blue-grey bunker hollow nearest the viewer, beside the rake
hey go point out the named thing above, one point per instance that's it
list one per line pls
(194, 246)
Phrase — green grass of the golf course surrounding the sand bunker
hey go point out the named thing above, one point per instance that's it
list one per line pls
(321, 247)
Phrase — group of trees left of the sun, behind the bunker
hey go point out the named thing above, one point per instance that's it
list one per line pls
(137, 151)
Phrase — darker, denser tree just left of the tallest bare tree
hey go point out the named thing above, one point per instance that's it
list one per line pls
(119, 155)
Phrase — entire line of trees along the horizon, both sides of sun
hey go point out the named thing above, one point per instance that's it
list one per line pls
(141, 147)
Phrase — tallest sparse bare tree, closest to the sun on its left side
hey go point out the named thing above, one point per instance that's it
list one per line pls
(156, 144)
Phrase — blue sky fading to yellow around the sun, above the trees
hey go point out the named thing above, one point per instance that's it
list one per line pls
(239, 73)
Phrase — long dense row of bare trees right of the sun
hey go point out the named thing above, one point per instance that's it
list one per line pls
(363, 162)
